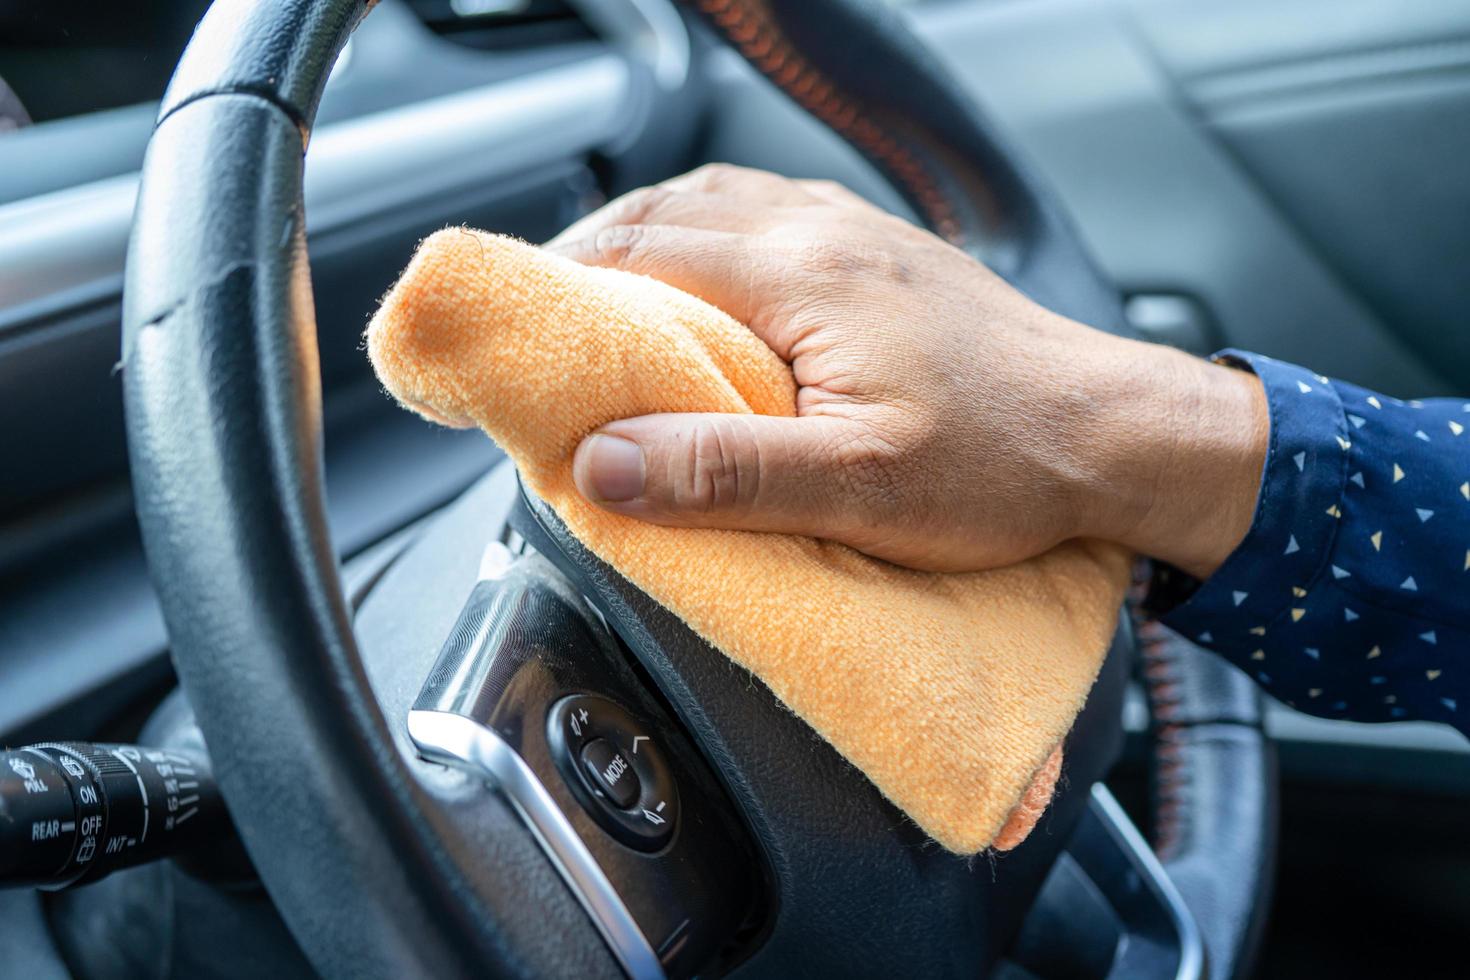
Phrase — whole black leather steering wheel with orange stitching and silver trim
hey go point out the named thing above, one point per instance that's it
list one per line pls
(386, 865)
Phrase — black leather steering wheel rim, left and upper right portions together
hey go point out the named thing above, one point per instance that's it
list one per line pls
(224, 424)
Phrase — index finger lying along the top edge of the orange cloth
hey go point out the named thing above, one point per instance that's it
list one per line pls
(721, 268)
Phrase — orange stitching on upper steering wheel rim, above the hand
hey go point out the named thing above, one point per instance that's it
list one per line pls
(750, 29)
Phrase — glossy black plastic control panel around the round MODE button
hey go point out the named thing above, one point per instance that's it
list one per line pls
(549, 681)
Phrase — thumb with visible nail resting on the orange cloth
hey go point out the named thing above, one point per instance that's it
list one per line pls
(727, 471)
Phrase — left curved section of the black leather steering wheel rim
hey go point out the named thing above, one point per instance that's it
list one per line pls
(221, 389)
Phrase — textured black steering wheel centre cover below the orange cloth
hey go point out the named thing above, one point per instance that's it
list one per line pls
(849, 866)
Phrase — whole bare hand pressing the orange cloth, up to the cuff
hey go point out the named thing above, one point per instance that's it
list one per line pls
(944, 421)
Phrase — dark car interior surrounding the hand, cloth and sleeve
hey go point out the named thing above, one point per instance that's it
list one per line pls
(298, 684)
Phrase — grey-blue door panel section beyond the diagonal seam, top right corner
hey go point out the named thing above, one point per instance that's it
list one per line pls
(1359, 133)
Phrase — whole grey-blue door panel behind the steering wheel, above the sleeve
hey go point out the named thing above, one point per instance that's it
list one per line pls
(1291, 167)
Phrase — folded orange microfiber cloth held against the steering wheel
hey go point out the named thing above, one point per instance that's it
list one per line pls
(952, 693)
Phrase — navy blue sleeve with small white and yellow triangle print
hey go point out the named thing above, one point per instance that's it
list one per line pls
(1350, 597)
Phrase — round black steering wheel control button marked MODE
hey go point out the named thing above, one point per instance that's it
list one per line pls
(617, 769)
